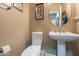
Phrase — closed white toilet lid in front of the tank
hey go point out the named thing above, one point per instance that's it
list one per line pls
(31, 51)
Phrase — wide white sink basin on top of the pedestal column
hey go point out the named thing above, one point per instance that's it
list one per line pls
(65, 36)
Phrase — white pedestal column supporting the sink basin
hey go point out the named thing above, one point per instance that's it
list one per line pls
(61, 48)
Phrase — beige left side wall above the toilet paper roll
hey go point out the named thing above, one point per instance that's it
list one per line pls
(14, 29)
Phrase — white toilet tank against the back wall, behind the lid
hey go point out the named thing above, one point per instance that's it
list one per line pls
(37, 38)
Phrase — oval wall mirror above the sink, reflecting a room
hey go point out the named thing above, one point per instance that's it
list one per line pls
(59, 13)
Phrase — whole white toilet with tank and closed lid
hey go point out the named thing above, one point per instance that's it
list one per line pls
(35, 48)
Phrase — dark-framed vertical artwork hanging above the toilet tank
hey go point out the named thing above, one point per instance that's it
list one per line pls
(39, 11)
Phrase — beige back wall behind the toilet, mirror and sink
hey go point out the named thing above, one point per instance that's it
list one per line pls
(45, 26)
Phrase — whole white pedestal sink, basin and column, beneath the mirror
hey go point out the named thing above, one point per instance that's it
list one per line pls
(61, 38)
